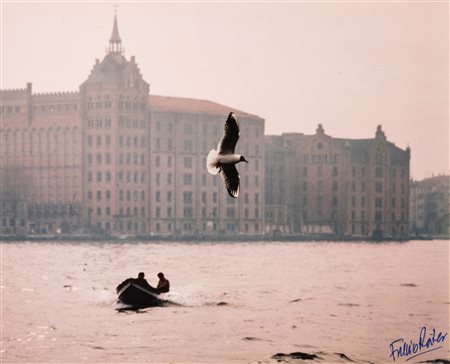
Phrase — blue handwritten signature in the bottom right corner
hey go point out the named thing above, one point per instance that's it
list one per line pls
(427, 342)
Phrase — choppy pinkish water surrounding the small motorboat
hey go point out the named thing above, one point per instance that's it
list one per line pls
(239, 302)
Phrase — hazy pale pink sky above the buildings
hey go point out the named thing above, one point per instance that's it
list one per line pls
(347, 65)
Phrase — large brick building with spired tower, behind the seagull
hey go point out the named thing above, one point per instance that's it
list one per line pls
(114, 159)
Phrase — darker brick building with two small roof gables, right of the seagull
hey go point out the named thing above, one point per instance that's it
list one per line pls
(317, 184)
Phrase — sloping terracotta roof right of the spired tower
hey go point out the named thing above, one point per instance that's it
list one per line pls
(194, 106)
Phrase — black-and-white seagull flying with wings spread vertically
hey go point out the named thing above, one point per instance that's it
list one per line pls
(224, 159)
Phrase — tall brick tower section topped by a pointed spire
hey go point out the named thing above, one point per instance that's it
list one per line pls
(114, 112)
